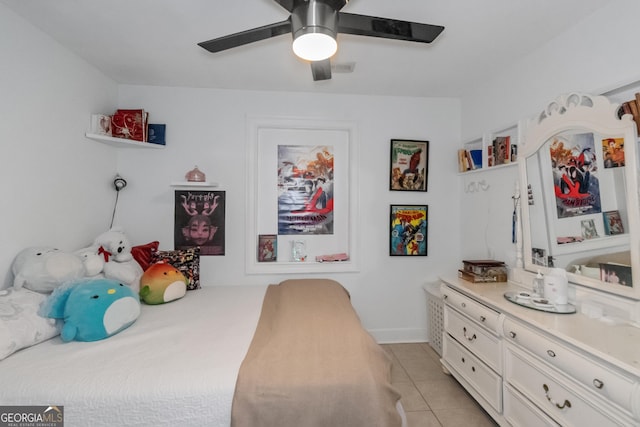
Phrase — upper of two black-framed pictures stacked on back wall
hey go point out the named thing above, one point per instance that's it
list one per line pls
(409, 167)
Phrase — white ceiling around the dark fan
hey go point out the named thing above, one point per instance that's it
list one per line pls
(154, 42)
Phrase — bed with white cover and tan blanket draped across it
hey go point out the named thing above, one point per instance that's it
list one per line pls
(220, 356)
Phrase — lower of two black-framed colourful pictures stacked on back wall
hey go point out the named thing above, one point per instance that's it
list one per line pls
(408, 230)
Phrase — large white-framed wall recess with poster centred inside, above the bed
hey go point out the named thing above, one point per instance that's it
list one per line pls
(302, 186)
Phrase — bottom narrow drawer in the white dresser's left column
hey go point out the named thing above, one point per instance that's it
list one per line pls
(480, 376)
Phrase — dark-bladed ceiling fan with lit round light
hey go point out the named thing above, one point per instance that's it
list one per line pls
(315, 24)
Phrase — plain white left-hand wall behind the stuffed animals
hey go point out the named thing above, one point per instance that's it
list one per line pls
(55, 182)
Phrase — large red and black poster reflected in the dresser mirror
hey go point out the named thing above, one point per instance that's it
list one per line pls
(575, 175)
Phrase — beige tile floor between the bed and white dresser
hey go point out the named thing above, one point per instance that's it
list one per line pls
(430, 397)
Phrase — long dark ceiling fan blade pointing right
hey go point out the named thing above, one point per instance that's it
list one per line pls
(372, 26)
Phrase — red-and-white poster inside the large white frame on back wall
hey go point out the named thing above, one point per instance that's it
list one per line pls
(305, 189)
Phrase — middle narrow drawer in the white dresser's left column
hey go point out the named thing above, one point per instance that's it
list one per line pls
(474, 337)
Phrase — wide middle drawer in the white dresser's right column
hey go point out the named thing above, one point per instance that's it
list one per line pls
(559, 398)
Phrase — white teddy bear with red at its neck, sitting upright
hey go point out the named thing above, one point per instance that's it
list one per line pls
(119, 264)
